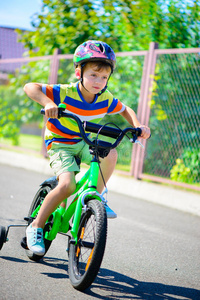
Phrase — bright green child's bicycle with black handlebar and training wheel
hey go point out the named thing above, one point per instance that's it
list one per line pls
(84, 221)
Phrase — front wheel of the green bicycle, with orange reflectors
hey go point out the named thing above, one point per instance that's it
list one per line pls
(86, 256)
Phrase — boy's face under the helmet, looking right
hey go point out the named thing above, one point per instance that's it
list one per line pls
(94, 79)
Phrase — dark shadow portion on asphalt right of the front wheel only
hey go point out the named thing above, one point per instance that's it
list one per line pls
(119, 286)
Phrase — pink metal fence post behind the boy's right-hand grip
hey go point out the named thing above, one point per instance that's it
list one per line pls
(143, 112)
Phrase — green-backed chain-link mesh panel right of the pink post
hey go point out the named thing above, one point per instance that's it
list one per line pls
(175, 119)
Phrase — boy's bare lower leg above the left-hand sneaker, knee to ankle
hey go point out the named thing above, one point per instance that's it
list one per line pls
(66, 186)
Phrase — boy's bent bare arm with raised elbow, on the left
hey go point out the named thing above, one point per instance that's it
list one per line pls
(34, 91)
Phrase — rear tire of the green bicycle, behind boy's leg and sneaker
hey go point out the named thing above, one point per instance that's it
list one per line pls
(39, 197)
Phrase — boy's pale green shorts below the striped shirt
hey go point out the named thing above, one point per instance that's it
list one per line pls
(63, 158)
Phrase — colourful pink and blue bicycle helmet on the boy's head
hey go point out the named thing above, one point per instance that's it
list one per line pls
(94, 51)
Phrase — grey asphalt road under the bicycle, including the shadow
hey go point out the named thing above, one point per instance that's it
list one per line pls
(152, 251)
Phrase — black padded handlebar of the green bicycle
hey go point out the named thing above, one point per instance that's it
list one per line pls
(105, 130)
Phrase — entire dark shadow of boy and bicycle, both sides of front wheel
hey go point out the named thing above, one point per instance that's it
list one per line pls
(118, 286)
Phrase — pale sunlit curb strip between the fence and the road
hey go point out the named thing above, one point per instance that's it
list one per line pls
(157, 193)
